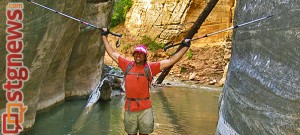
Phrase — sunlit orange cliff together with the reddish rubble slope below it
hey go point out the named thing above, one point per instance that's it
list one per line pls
(170, 20)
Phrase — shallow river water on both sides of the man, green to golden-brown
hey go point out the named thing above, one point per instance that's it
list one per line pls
(177, 111)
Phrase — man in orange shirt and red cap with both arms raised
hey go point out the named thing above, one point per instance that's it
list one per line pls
(138, 116)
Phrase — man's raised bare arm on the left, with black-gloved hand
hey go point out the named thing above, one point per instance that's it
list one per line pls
(109, 49)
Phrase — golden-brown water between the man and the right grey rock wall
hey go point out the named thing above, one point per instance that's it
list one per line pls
(185, 111)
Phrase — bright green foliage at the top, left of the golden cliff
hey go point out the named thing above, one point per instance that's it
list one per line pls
(120, 10)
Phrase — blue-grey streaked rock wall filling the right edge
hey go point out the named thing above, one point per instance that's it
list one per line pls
(262, 90)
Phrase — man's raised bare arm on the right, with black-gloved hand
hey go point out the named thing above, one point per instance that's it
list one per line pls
(176, 57)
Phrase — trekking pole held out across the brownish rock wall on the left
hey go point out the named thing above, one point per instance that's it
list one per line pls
(71, 17)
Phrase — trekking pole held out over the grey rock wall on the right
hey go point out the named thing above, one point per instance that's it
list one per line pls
(216, 32)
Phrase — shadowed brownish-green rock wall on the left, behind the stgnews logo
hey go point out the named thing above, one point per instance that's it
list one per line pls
(64, 57)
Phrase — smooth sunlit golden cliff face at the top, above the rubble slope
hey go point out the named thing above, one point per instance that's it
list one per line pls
(164, 20)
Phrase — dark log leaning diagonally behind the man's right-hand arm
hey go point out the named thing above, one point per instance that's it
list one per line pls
(209, 7)
